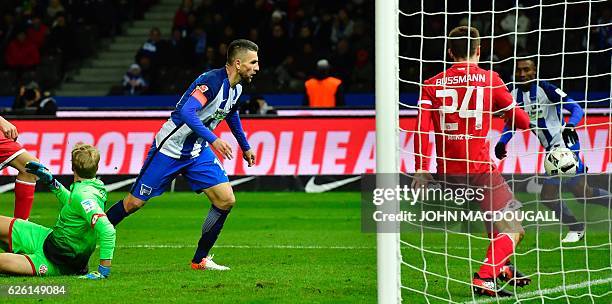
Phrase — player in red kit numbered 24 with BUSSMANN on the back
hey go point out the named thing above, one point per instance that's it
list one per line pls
(461, 102)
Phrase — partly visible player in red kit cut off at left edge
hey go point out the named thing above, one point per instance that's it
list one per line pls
(12, 154)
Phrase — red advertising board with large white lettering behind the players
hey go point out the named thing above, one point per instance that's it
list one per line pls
(284, 146)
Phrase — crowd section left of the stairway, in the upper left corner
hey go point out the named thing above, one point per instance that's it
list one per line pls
(41, 39)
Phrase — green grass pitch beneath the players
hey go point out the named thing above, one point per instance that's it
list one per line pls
(301, 248)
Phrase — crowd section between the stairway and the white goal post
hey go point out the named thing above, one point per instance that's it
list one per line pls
(293, 36)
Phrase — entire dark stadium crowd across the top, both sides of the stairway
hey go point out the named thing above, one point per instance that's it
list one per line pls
(41, 39)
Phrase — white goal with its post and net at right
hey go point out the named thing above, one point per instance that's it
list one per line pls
(569, 43)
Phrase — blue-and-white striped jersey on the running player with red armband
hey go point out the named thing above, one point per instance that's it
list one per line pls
(175, 139)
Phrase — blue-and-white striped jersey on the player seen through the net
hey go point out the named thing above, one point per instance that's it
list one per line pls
(543, 104)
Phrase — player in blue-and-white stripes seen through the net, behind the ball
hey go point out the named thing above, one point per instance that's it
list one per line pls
(543, 101)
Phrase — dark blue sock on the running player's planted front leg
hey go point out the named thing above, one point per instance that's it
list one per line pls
(210, 231)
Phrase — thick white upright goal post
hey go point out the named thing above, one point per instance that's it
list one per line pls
(387, 134)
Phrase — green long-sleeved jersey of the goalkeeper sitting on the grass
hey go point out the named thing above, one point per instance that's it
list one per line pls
(81, 223)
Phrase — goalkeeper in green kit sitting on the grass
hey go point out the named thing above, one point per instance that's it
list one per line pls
(64, 250)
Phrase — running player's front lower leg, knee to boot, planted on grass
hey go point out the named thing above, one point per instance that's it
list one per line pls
(222, 198)
